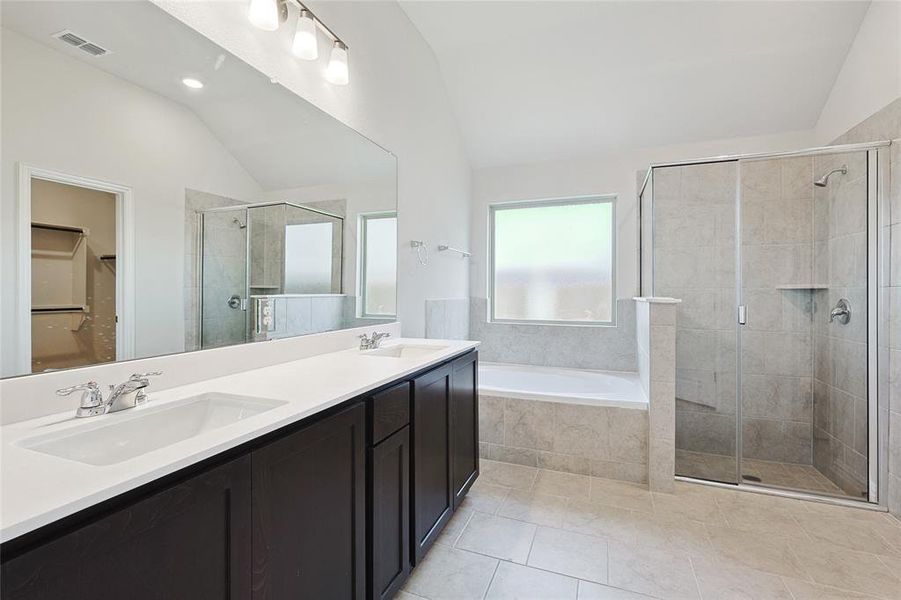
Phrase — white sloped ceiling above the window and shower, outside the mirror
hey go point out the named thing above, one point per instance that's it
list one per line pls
(535, 81)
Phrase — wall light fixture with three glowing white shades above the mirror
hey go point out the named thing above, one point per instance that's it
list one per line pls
(268, 15)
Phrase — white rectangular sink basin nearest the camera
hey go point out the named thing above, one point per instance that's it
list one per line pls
(127, 434)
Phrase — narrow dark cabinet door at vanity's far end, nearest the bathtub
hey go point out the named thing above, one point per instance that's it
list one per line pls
(464, 425)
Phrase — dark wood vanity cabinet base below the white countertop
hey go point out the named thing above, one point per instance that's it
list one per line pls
(340, 506)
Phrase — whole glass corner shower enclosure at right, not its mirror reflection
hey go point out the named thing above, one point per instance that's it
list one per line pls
(777, 260)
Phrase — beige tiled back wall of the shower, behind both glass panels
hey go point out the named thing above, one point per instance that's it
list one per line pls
(694, 225)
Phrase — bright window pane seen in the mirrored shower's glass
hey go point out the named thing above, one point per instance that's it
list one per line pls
(308, 258)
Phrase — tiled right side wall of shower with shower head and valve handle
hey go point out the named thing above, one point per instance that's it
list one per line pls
(840, 355)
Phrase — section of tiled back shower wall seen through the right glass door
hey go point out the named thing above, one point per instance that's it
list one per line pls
(777, 268)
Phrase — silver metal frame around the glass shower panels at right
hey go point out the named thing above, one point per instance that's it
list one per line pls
(878, 262)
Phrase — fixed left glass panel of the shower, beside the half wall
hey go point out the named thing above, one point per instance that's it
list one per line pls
(694, 259)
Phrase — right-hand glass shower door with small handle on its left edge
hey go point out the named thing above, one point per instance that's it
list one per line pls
(804, 387)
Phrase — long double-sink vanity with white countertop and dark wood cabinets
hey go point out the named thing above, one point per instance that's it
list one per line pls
(340, 502)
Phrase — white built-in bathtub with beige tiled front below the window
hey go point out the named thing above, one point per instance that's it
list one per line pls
(586, 422)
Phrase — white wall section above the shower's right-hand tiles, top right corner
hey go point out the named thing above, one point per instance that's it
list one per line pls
(870, 78)
